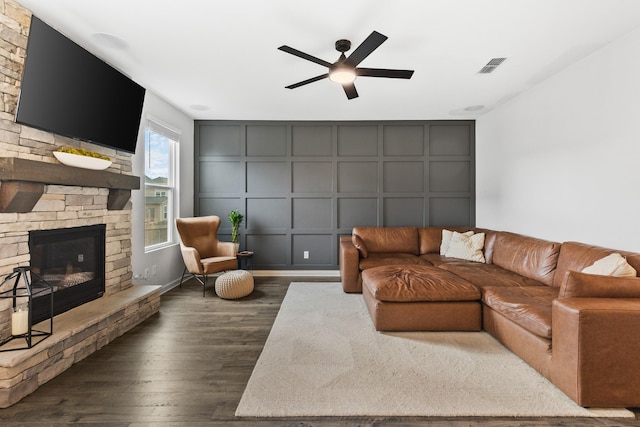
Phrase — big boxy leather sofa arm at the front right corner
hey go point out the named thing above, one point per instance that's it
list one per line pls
(596, 350)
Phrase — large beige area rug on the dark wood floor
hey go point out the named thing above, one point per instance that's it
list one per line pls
(324, 358)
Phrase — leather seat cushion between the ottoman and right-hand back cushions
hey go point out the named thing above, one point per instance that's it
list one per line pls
(483, 275)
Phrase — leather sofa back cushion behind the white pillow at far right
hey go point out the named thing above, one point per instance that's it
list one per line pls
(575, 256)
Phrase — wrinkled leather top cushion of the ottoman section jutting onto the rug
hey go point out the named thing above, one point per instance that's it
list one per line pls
(417, 283)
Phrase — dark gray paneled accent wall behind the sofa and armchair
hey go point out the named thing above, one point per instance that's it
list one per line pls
(302, 185)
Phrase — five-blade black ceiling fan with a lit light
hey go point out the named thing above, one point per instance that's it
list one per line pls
(345, 69)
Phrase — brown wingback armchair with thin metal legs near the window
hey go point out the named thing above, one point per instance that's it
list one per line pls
(201, 251)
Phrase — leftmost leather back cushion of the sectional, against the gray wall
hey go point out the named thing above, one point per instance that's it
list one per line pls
(389, 239)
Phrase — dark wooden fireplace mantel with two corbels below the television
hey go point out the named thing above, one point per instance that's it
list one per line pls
(22, 183)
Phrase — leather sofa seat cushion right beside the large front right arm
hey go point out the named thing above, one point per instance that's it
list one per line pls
(528, 307)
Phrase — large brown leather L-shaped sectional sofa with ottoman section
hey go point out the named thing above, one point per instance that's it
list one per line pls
(580, 331)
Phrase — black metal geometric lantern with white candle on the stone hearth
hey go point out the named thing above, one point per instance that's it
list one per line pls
(26, 286)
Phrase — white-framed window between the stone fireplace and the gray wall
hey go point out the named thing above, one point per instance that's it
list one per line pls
(160, 147)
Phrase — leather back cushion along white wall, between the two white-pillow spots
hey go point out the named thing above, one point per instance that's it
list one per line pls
(527, 256)
